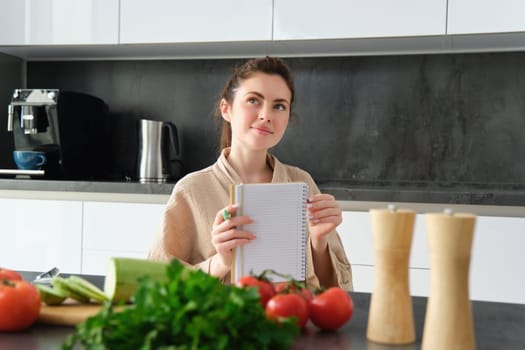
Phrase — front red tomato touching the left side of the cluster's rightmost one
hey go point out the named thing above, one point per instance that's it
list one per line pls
(288, 305)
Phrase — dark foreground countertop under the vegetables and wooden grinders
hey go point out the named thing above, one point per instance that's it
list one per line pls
(497, 326)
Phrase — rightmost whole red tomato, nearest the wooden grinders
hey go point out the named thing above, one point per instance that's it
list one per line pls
(331, 309)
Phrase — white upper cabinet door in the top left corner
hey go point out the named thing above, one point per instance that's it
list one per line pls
(59, 22)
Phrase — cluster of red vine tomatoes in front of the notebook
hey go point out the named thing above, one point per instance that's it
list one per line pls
(329, 309)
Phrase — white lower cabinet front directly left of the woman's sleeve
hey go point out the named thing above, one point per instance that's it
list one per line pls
(117, 229)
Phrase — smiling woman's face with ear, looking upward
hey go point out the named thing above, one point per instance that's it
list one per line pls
(259, 113)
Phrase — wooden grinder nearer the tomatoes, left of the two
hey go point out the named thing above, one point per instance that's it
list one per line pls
(391, 317)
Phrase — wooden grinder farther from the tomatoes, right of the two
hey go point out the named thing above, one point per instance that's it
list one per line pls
(448, 319)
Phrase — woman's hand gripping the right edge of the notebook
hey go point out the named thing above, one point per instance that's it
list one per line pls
(324, 215)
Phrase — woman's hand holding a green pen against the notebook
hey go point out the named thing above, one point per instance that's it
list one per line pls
(226, 237)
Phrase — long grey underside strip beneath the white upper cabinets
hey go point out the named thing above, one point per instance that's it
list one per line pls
(489, 42)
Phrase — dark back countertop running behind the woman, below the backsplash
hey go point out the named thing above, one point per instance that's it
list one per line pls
(451, 193)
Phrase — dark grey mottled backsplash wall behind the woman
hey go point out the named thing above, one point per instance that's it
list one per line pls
(438, 119)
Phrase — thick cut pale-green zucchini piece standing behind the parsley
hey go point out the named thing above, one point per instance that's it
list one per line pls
(122, 277)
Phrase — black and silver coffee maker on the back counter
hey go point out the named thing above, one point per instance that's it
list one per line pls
(72, 128)
